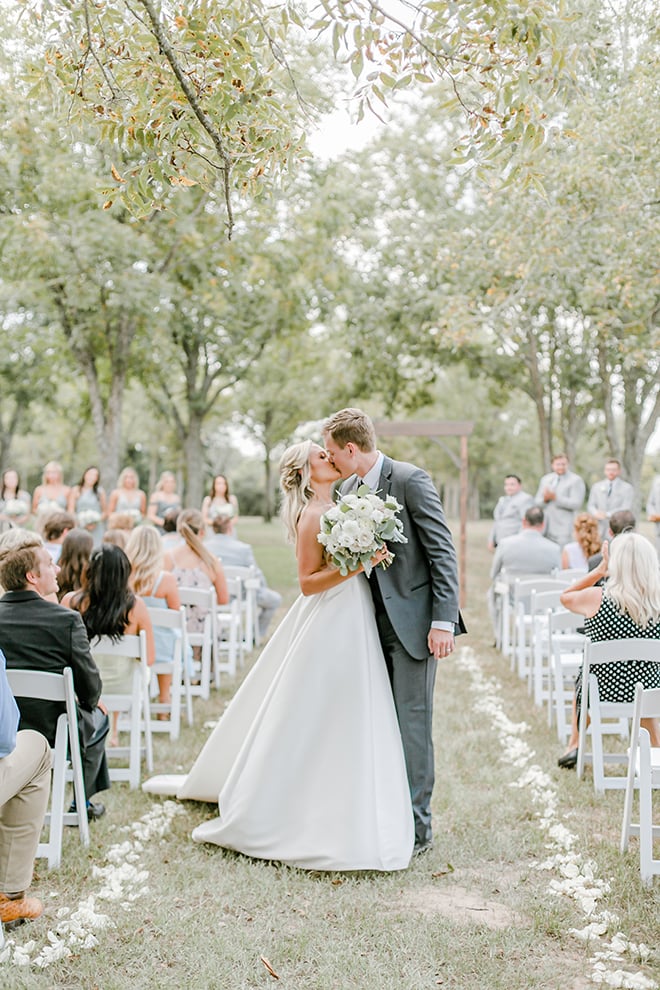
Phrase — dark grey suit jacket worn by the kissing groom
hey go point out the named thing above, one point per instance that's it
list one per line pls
(421, 586)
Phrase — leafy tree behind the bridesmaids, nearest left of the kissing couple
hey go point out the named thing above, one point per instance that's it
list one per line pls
(221, 304)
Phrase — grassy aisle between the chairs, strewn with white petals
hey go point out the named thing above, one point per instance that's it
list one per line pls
(476, 913)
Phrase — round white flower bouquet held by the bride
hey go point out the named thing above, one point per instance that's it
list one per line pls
(357, 526)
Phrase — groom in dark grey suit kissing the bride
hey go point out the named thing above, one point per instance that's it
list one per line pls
(416, 599)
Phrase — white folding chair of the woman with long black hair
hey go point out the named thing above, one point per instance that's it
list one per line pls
(136, 705)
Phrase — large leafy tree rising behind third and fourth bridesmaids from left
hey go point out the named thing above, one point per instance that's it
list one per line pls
(78, 274)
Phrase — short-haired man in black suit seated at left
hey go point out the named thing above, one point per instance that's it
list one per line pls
(36, 634)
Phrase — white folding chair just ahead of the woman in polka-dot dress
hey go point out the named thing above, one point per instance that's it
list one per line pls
(566, 647)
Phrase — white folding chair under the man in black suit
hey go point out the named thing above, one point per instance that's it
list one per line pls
(58, 687)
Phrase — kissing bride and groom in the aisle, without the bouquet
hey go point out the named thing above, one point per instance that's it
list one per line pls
(324, 758)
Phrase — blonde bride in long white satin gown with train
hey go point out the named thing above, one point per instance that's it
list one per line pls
(306, 764)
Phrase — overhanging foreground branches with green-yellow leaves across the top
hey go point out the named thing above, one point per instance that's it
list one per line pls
(212, 90)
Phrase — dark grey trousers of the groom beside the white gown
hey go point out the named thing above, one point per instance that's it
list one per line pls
(412, 686)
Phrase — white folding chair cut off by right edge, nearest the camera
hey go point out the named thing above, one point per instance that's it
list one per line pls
(644, 773)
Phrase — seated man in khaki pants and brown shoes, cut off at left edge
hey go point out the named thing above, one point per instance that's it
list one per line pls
(24, 789)
